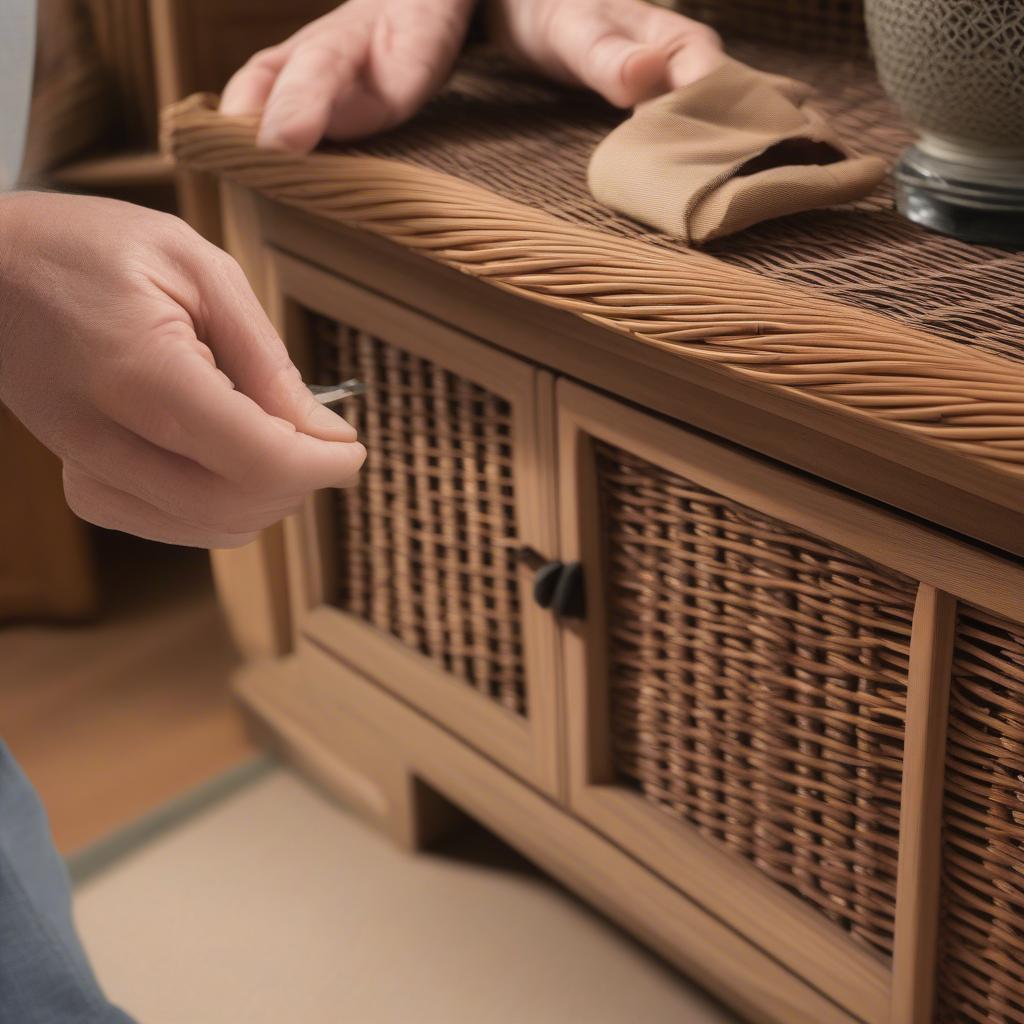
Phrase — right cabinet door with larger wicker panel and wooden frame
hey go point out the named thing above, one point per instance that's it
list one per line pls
(740, 693)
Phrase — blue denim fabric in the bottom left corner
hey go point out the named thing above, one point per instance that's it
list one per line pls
(45, 975)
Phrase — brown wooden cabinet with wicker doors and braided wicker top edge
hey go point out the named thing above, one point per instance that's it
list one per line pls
(780, 737)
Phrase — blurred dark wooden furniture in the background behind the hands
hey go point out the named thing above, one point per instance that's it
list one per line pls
(124, 61)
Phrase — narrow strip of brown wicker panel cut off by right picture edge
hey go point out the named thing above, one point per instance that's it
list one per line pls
(982, 970)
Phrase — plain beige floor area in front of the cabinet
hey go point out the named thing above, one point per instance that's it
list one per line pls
(276, 907)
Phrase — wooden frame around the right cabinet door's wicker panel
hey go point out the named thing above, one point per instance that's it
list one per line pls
(730, 887)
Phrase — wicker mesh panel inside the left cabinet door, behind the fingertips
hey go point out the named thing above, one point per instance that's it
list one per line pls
(421, 545)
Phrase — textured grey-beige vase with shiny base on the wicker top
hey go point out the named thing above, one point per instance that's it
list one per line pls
(956, 68)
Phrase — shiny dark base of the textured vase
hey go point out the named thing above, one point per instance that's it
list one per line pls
(972, 202)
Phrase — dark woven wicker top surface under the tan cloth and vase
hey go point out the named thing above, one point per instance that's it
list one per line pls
(530, 142)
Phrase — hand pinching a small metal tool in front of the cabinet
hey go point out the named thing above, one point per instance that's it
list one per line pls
(137, 352)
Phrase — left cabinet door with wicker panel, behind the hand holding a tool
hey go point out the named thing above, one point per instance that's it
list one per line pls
(413, 576)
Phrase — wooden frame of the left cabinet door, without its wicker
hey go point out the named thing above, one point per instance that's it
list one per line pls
(526, 746)
